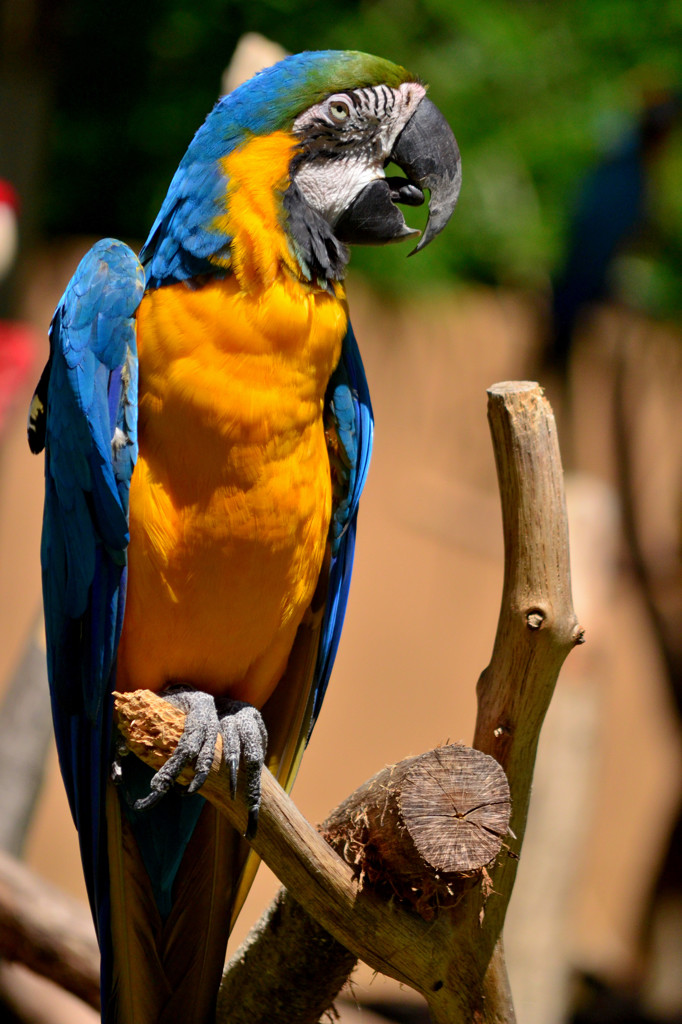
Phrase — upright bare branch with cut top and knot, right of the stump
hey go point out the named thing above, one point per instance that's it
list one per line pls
(537, 627)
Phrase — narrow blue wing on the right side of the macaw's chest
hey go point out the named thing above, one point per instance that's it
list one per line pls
(349, 411)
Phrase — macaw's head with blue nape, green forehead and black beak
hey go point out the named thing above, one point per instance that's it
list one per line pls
(347, 116)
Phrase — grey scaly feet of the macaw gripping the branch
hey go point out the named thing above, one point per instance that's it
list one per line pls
(244, 741)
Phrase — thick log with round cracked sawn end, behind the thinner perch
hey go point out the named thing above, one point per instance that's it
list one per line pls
(300, 967)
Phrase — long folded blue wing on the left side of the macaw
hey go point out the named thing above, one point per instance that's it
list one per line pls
(90, 413)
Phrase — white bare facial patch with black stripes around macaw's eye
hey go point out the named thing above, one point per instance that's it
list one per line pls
(346, 155)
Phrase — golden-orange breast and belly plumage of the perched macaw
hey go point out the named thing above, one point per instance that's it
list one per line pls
(231, 499)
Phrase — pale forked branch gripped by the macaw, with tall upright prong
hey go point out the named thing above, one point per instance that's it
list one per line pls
(456, 961)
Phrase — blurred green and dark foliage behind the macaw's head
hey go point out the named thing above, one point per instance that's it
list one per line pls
(535, 92)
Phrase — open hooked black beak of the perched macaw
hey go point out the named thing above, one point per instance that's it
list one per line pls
(427, 150)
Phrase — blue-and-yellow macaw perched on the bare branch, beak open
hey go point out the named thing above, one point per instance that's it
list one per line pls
(208, 430)
